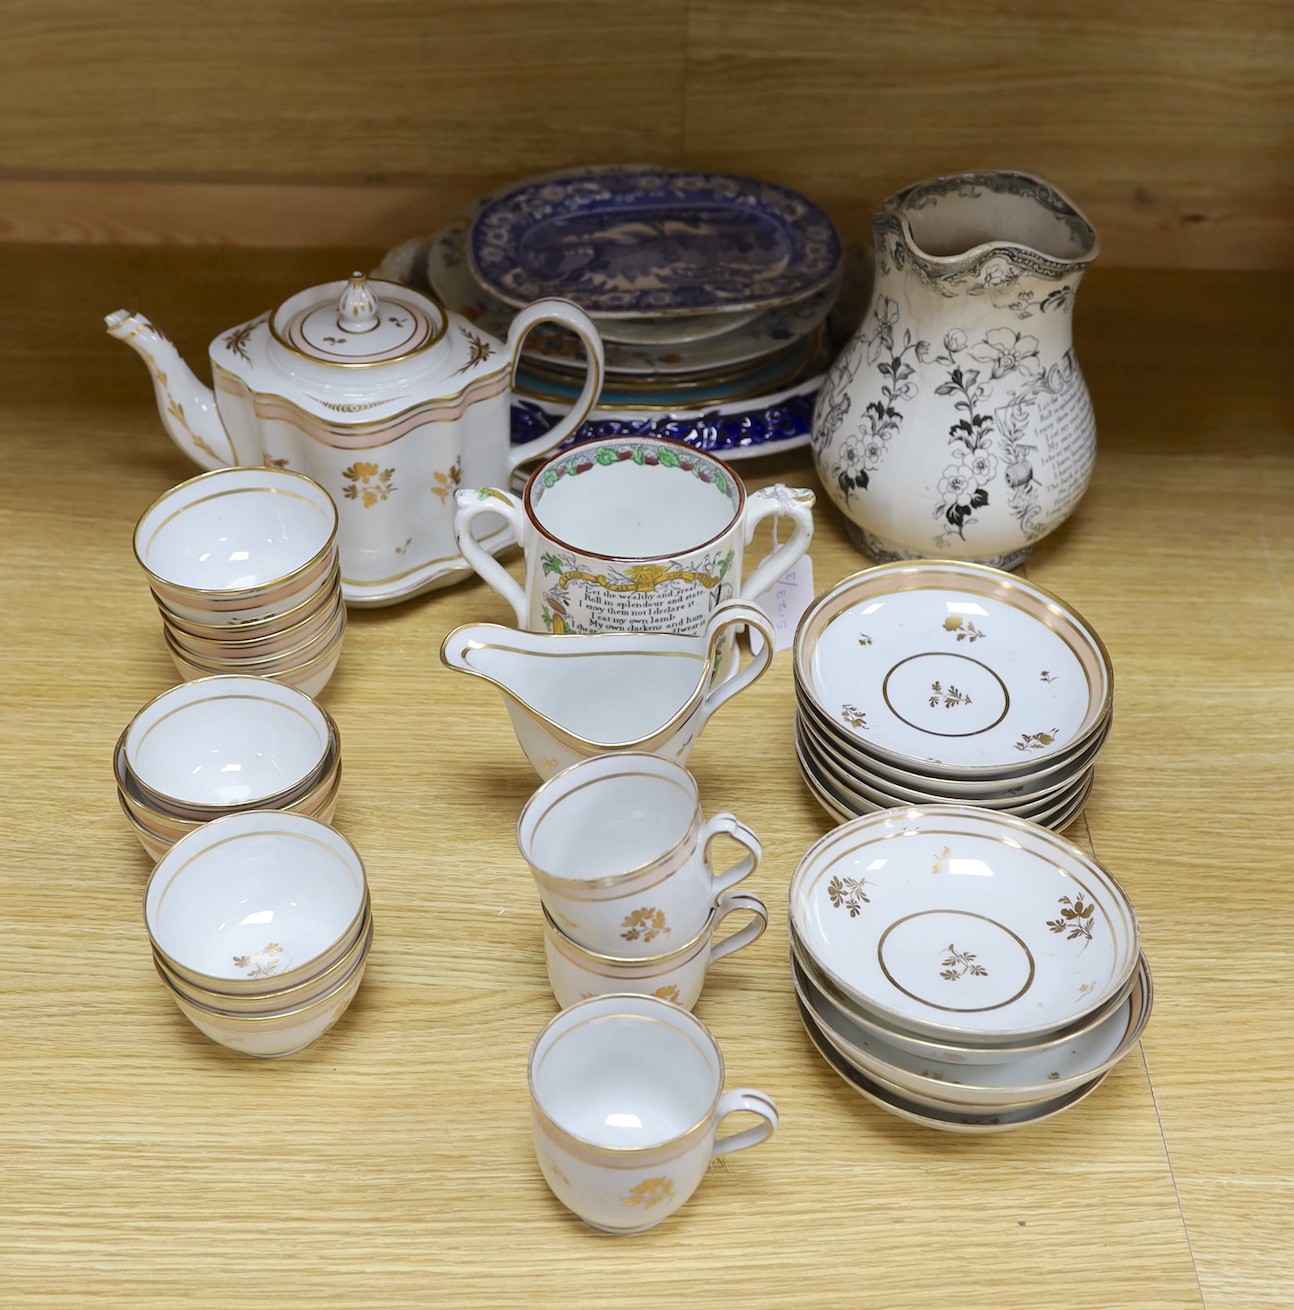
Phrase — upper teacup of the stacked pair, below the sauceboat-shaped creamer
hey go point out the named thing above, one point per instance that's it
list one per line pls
(620, 851)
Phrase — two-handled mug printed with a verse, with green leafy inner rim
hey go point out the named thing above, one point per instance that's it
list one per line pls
(632, 535)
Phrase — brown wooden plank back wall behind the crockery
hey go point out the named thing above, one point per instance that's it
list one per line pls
(293, 124)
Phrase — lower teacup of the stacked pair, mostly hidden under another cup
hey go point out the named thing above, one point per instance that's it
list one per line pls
(678, 975)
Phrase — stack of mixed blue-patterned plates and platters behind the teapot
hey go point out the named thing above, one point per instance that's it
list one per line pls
(712, 294)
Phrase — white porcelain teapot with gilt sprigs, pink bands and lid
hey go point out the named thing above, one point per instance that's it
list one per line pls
(380, 395)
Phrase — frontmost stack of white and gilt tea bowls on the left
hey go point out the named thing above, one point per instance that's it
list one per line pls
(261, 929)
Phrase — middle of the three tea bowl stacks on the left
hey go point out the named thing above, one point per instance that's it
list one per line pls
(222, 746)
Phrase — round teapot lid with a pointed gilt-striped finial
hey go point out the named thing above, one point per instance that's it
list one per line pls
(358, 323)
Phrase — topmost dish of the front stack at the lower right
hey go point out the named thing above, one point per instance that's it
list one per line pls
(958, 923)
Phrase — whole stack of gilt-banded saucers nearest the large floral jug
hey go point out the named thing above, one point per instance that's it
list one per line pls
(948, 682)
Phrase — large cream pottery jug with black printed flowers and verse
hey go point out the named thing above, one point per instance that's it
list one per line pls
(957, 424)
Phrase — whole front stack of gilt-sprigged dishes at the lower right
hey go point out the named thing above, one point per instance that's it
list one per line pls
(963, 970)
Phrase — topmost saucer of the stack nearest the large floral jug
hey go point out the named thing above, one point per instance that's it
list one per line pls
(955, 670)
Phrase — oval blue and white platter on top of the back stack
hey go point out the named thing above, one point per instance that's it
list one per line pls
(654, 244)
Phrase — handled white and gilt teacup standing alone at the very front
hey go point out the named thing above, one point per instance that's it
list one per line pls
(627, 1098)
